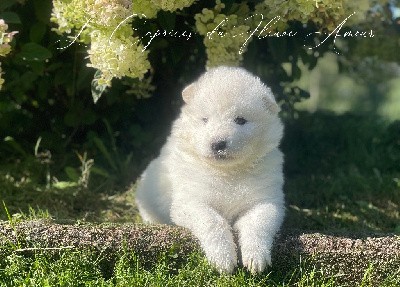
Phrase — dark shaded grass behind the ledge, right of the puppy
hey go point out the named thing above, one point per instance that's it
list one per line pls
(342, 173)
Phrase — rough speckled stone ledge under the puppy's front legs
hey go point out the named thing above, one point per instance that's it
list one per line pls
(341, 255)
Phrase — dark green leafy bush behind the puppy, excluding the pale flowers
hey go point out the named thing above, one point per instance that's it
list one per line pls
(47, 93)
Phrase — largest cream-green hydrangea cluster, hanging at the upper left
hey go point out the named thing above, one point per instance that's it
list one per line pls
(106, 24)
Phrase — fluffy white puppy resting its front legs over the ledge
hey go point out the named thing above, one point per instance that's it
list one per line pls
(220, 172)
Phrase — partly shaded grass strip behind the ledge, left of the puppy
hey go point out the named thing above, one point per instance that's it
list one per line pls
(27, 200)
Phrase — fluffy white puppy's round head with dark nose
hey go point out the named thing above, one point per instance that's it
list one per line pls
(230, 117)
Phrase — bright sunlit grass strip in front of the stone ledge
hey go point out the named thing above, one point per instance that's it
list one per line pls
(81, 268)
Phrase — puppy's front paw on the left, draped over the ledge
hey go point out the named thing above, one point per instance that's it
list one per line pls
(222, 256)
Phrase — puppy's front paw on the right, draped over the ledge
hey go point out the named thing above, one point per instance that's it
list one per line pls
(256, 259)
